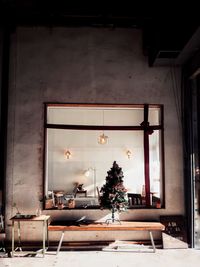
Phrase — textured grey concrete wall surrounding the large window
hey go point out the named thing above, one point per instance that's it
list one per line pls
(82, 65)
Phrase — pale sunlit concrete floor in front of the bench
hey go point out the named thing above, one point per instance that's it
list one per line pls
(162, 258)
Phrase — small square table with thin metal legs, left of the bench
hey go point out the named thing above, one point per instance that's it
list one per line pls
(45, 235)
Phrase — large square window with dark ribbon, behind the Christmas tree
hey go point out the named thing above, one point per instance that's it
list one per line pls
(83, 141)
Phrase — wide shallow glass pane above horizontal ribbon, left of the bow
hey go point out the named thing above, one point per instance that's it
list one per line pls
(95, 116)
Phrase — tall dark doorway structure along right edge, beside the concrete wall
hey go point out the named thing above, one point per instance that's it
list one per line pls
(191, 145)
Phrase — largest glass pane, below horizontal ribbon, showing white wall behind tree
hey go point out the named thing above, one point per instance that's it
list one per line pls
(88, 161)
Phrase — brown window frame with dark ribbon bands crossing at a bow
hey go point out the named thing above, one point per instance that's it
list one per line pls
(144, 126)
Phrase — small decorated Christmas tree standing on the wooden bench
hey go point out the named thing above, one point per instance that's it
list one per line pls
(113, 193)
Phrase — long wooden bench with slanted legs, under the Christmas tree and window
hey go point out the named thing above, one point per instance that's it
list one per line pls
(122, 226)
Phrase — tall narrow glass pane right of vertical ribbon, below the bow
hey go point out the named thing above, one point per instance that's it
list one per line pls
(155, 163)
